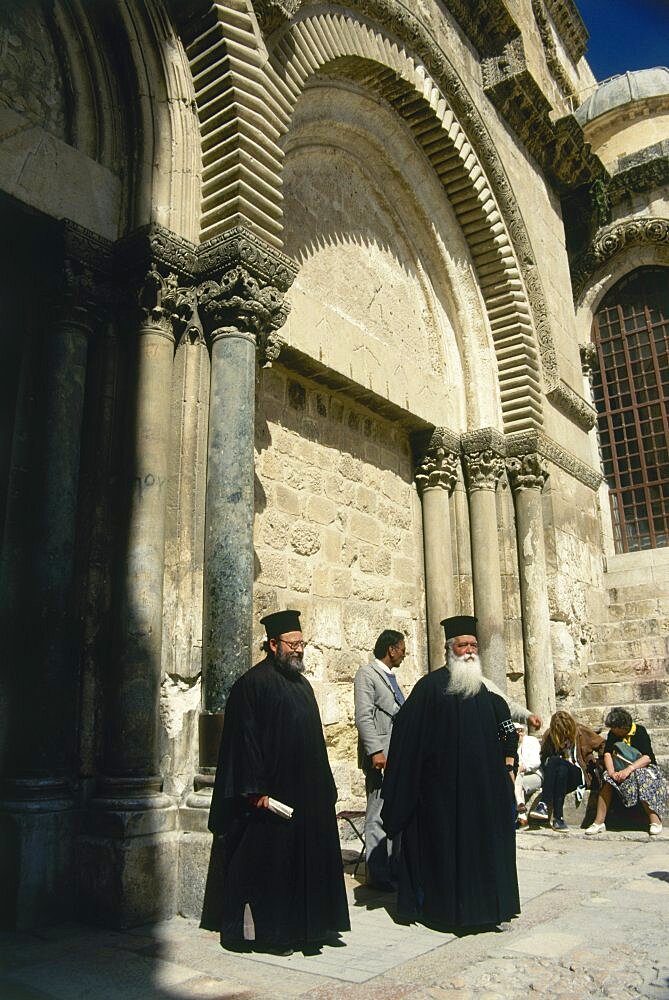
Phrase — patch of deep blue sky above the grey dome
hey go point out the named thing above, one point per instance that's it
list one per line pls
(625, 34)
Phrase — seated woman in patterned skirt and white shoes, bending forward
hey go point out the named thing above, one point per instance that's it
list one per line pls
(638, 781)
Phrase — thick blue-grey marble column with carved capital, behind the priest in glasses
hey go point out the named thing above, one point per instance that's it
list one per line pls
(241, 304)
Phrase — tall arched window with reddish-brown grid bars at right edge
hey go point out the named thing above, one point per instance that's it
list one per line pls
(631, 392)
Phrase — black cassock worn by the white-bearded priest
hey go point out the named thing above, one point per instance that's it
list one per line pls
(446, 789)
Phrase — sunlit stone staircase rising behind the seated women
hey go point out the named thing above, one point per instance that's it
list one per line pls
(630, 665)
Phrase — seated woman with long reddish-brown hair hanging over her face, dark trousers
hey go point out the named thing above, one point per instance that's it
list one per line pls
(562, 771)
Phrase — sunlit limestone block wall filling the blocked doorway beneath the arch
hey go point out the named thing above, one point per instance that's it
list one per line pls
(337, 536)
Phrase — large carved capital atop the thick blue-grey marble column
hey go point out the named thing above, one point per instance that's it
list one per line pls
(242, 289)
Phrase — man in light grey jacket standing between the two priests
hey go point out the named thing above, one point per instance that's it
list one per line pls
(378, 698)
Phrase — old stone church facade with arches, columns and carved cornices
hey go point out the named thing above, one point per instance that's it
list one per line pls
(359, 309)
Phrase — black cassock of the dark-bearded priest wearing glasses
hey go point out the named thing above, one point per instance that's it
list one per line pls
(289, 872)
